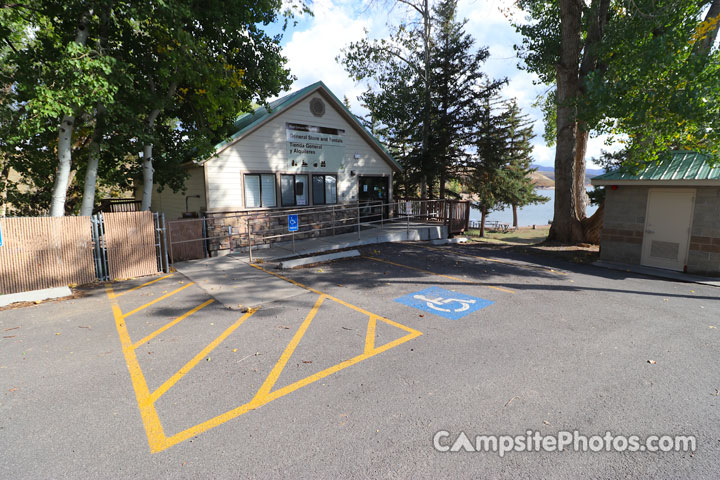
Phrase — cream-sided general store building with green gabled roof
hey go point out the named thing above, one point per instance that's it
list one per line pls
(305, 150)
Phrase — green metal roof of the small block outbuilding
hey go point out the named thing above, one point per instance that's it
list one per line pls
(675, 165)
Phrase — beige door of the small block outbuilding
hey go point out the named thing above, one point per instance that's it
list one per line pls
(667, 228)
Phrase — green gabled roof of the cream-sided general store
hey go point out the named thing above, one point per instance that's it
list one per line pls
(249, 121)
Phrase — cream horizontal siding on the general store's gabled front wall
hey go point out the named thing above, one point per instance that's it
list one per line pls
(265, 151)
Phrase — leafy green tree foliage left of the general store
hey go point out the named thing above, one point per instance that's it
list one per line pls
(200, 64)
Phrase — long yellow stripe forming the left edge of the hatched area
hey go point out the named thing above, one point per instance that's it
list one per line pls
(151, 421)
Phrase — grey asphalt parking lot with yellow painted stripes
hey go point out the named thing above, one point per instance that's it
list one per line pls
(355, 374)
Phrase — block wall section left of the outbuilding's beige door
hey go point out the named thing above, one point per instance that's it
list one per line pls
(623, 224)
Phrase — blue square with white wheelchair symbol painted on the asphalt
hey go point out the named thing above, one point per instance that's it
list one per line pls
(446, 303)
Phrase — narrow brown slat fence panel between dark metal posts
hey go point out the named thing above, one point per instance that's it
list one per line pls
(130, 240)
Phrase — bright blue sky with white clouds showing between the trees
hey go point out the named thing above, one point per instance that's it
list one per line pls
(312, 45)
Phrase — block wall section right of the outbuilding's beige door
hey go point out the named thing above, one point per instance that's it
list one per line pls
(704, 255)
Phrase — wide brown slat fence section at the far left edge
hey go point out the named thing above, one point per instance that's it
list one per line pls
(45, 252)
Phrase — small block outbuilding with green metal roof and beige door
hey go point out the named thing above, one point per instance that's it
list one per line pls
(667, 215)
